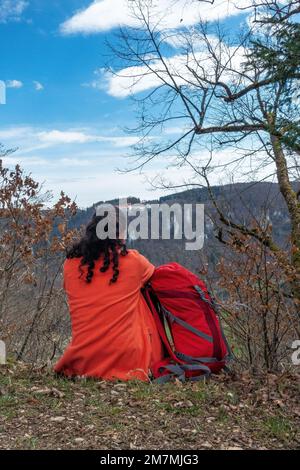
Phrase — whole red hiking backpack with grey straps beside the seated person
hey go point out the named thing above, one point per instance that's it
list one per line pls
(188, 324)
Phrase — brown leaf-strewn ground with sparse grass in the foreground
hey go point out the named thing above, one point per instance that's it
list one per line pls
(40, 411)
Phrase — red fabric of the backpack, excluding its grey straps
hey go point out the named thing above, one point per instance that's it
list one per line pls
(174, 287)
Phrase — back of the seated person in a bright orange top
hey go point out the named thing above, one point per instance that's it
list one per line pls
(114, 335)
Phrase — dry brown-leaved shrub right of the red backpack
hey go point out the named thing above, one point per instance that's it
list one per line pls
(258, 307)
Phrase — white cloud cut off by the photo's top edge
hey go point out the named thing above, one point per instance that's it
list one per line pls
(104, 15)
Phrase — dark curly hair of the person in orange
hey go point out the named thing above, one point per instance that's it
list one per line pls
(90, 248)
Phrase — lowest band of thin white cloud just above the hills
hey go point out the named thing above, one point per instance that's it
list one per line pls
(88, 172)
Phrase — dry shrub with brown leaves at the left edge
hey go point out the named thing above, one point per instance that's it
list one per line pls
(33, 237)
